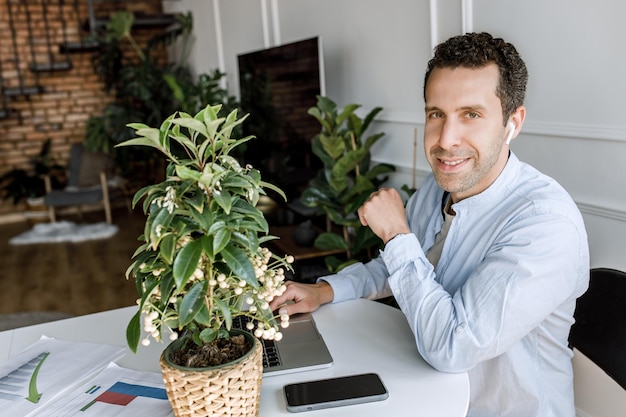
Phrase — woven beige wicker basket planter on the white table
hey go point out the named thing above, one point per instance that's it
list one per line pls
(231, 390)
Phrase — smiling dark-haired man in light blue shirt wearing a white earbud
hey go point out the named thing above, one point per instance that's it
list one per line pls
(488, 258)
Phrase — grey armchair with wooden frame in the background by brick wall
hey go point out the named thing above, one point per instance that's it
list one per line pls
(88, 183)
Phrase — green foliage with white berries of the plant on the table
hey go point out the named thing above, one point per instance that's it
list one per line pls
(202, 262)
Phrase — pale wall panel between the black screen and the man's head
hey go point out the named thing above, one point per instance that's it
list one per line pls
(374, 55)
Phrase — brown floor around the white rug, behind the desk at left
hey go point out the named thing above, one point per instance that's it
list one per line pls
(73, 278)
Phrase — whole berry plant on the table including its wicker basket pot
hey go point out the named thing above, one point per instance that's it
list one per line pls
(202, 264)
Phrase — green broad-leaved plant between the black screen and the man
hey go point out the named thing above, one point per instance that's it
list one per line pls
(345, 181)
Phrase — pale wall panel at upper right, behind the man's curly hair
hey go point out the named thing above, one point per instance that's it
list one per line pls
(575, 53)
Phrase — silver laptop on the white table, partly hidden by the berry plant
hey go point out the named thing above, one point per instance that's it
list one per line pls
(302, 348)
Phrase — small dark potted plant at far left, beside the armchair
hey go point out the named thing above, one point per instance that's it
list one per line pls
(28, 185)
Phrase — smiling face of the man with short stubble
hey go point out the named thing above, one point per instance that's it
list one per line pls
(464, 134)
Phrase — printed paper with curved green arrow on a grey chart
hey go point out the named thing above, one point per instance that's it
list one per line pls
(45, 369)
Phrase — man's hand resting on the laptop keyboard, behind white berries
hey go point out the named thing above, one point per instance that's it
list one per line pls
(305, 297)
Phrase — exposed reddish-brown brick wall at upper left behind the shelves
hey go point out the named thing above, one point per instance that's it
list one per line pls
(70, 97)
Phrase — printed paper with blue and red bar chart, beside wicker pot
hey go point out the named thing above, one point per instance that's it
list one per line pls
(116, 391)
